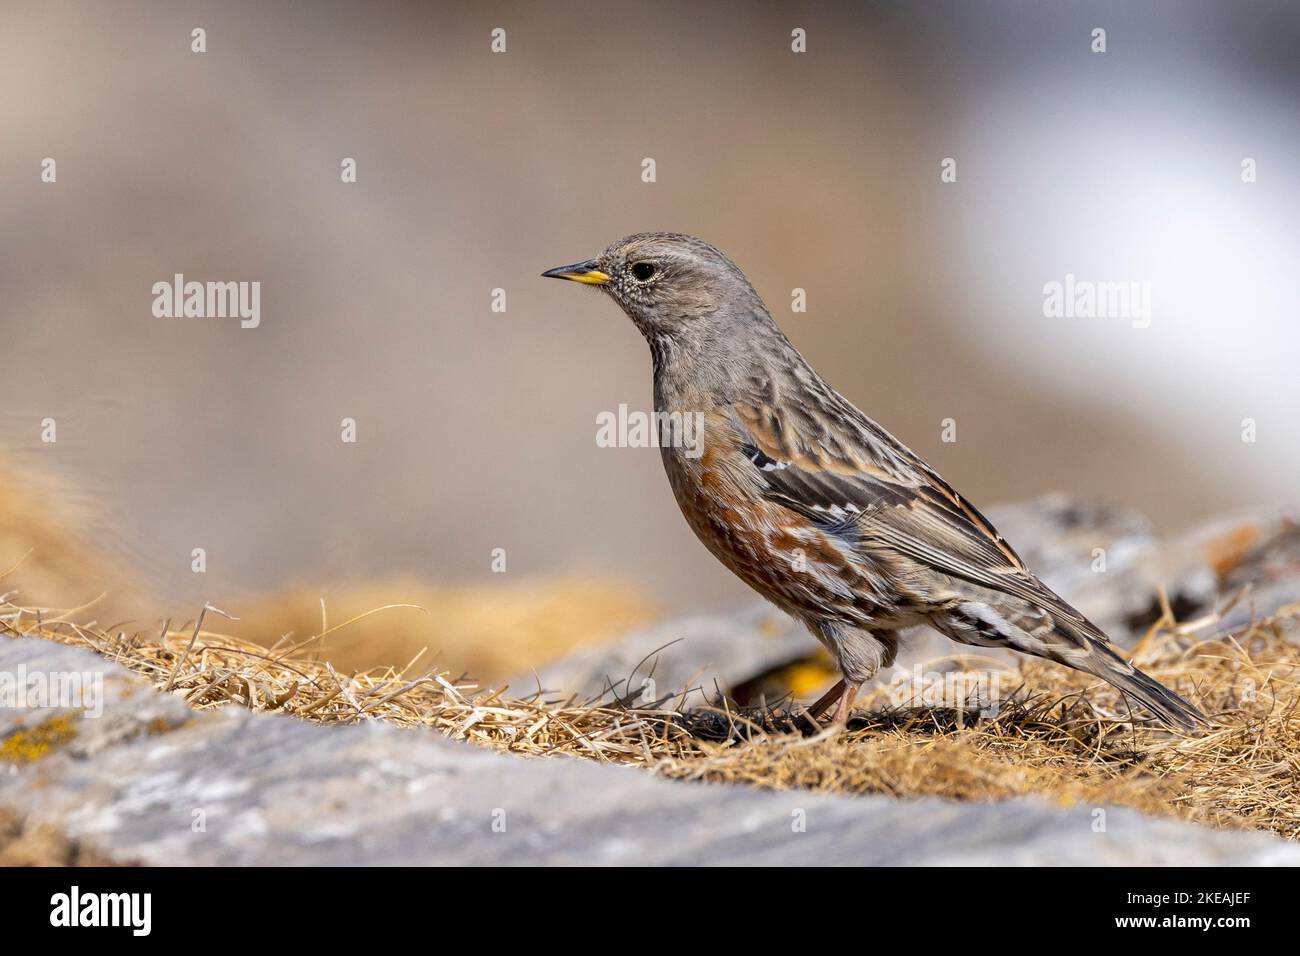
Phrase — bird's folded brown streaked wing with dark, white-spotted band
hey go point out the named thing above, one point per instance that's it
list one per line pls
(844, 473)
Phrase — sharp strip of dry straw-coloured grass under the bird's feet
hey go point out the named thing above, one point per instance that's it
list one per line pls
(1068, 739)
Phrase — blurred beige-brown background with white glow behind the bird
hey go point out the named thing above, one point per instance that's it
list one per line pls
(479, 171)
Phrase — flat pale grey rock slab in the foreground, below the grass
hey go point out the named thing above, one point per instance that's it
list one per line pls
(151, 781)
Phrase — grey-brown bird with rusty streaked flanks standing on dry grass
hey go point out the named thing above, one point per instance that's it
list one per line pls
(814, 505)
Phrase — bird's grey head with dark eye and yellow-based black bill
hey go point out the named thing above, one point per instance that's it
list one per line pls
(669, 284)
